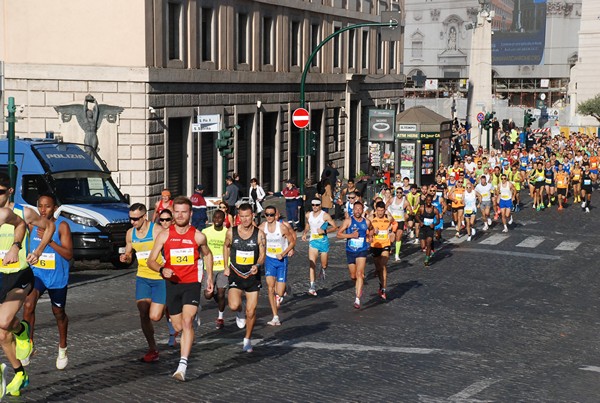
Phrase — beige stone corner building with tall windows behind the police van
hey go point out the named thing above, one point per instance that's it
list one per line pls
(166, 62)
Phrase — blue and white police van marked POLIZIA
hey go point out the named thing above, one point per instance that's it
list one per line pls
(96, 210)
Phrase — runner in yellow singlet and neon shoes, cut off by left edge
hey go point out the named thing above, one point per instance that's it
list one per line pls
(16, 279)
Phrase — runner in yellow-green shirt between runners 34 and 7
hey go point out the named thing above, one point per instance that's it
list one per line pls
(215, 238)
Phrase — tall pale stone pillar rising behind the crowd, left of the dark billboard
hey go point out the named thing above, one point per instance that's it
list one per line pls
(480, 70)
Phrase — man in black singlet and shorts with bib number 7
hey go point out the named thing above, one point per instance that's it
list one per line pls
(245, 251)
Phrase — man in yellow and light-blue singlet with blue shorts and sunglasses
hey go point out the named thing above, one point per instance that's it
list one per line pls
(150, 288)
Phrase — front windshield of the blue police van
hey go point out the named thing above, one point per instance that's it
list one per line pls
(86, 188)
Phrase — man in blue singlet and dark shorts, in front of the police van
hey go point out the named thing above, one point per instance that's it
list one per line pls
(51, 273)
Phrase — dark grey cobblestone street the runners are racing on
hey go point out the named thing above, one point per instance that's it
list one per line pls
(504, 318)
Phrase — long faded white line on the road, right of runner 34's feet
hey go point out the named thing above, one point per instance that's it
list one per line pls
(338, 346)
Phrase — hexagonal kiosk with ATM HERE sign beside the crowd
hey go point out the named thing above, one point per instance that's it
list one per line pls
(422, 142)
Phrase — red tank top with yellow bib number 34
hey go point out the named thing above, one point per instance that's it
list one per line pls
(182, 256)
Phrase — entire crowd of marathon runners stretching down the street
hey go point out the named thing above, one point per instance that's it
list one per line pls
(225, 259)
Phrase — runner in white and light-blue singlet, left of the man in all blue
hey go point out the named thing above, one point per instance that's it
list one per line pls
(318, 223)
